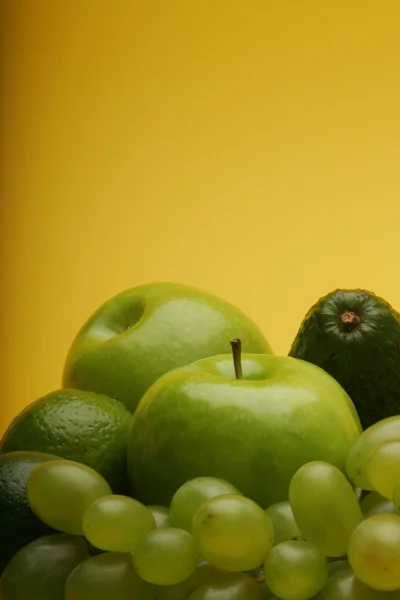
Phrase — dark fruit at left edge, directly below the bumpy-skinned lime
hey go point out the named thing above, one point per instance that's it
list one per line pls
(18, 524)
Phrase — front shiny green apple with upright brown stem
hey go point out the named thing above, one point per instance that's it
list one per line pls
(254, 430)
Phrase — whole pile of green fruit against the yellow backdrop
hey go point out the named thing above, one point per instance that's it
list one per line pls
(170, 466)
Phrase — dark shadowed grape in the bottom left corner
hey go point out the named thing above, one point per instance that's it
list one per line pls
(38, 571)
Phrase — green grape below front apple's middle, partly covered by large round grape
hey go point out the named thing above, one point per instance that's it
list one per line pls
(191, 495)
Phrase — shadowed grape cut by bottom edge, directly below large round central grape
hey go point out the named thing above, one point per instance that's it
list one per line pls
(232, 586)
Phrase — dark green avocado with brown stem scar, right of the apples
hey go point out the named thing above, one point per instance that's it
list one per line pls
(354, 335)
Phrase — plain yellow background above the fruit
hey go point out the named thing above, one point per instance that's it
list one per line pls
(248, 147)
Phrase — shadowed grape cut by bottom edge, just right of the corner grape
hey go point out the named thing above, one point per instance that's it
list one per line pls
(107, 576)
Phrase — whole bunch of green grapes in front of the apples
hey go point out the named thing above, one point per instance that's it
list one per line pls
(335, 537)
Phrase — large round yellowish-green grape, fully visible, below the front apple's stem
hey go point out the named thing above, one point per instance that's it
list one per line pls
(233, 533)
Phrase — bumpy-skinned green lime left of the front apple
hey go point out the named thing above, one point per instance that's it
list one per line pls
(76, 425)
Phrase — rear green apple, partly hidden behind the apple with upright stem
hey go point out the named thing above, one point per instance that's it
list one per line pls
(144, 332)
